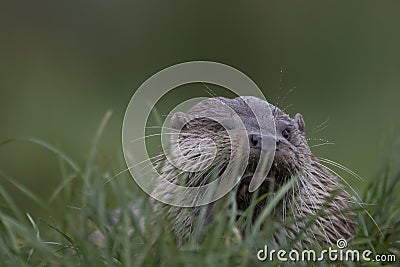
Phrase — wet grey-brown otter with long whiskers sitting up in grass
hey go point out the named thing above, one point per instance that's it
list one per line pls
(316, 190)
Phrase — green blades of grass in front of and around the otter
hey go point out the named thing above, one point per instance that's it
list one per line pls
(86, 195)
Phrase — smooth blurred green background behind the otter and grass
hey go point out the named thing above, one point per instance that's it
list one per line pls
(63, 64)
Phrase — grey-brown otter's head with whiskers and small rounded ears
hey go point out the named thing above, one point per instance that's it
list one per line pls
(208, 130)
